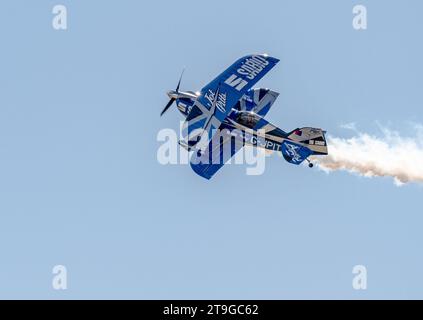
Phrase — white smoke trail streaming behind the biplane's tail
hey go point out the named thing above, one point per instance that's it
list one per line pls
(389, 155)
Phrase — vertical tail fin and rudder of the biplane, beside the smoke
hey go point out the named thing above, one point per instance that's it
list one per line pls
(313, 138)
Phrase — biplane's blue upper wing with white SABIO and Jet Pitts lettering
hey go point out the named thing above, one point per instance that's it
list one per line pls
(219, 96)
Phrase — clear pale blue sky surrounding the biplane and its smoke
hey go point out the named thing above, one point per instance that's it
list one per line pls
(80, 184)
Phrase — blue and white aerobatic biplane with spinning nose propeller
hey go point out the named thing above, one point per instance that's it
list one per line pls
(228, 113)
